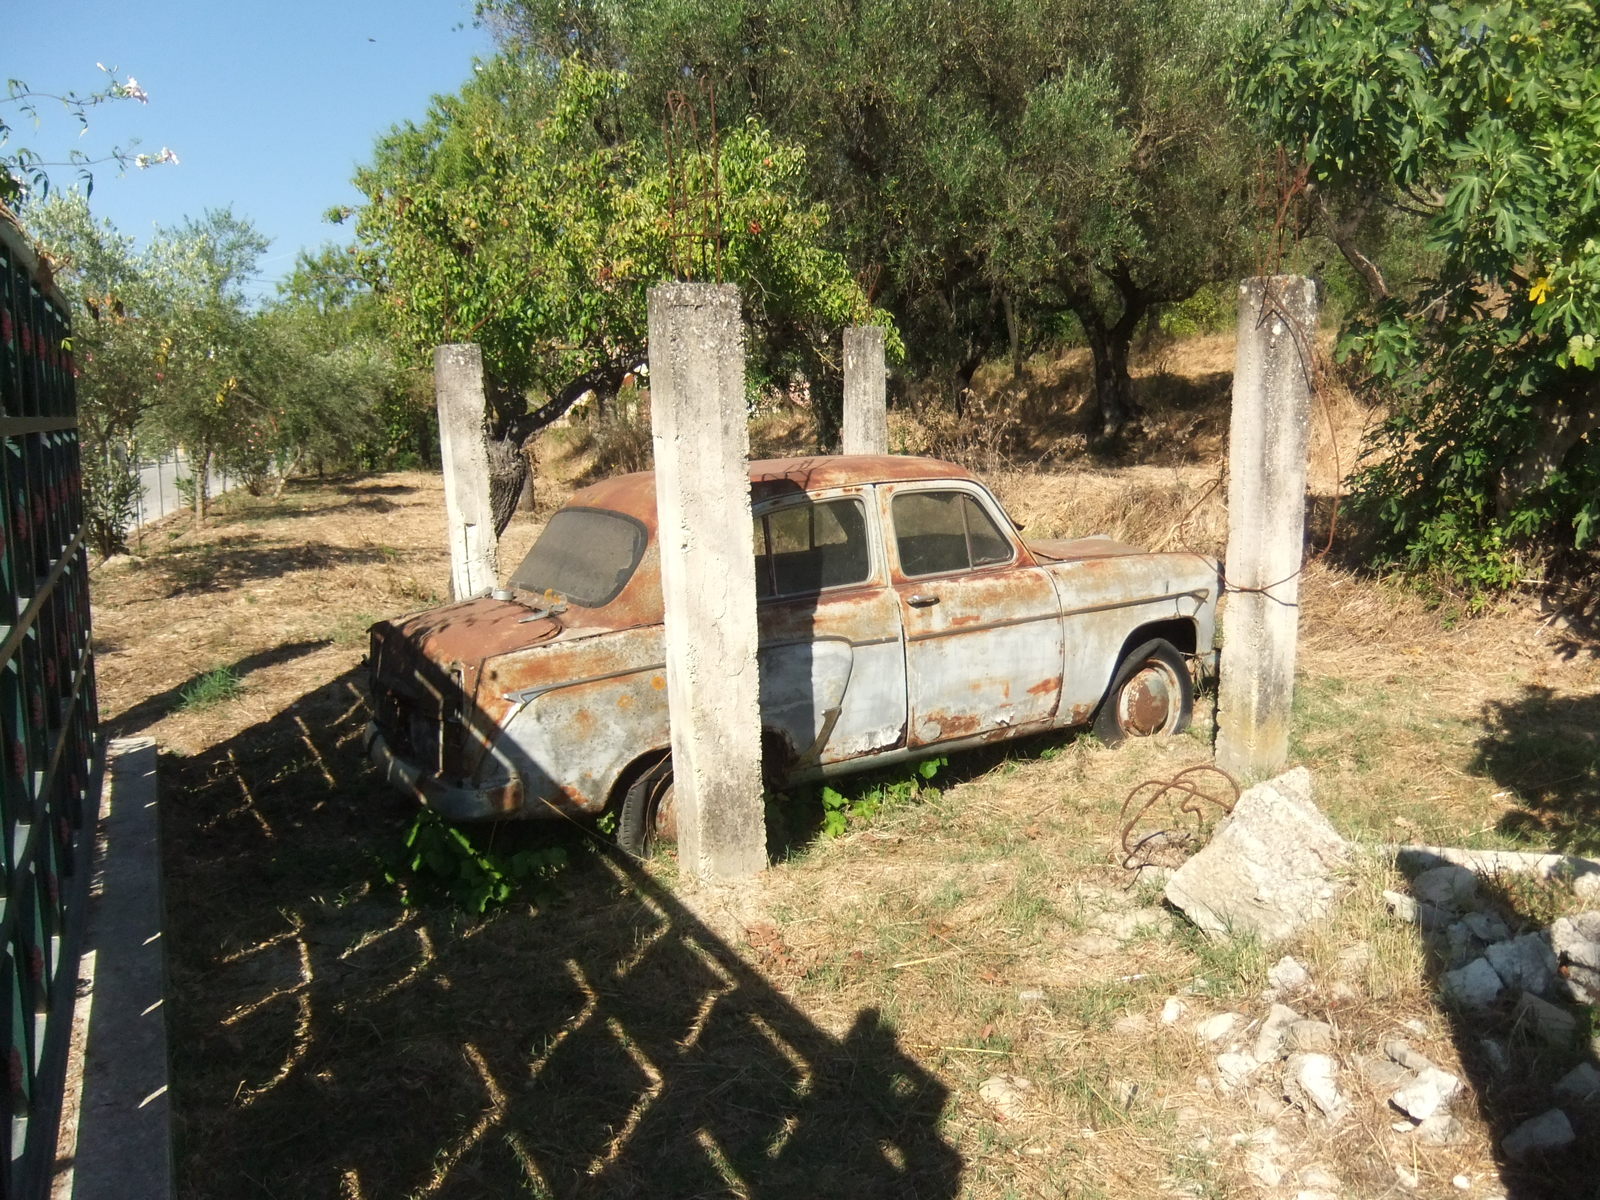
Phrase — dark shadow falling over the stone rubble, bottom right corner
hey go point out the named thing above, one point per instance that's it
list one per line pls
(1521, 1046)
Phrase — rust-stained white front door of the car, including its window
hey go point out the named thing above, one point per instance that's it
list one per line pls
(983, 623)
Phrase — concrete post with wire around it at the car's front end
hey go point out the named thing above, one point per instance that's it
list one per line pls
(1266, 522)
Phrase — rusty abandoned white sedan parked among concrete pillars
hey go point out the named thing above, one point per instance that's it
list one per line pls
(900, 617)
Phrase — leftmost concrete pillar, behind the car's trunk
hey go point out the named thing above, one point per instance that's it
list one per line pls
(458, 385)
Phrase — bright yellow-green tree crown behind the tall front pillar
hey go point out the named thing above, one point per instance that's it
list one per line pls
(524, 217)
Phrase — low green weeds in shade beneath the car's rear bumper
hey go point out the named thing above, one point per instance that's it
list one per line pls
(446, 863)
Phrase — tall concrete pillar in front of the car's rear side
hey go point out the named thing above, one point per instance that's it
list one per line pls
(708, 577)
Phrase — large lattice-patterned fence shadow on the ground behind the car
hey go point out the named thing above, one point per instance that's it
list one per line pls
(334, 1042)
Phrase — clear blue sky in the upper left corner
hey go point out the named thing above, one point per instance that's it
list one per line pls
(270, 106)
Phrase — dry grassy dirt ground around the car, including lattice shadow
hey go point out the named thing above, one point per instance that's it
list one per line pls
(838, 1028)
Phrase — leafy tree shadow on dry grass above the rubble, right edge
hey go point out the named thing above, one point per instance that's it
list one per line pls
(1545, 748)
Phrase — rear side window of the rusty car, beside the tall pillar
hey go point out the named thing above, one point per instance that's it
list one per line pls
(806, 548)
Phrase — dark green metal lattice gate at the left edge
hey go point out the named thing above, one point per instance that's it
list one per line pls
(49, 734)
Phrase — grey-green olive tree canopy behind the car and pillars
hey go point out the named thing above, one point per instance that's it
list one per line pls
(986, 167)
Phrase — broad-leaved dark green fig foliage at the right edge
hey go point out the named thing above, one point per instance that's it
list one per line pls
(1479, 121)
